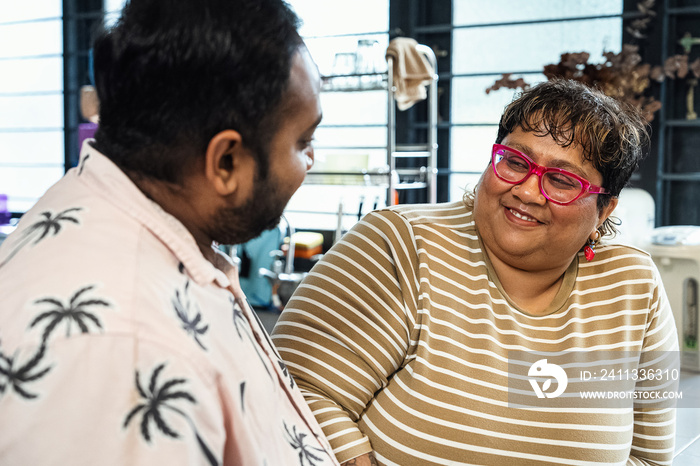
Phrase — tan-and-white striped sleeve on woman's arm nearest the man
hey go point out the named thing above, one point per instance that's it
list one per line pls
(348, 327)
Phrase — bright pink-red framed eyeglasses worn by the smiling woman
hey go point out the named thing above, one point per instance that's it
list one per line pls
(559, 186)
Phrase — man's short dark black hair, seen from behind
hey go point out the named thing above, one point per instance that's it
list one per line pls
(172, 74)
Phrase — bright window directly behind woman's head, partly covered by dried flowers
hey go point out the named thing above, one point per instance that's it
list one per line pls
(509, 36)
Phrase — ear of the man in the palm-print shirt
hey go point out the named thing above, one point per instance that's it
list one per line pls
(227, 162)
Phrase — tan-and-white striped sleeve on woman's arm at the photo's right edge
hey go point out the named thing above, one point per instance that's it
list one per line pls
(655, 426)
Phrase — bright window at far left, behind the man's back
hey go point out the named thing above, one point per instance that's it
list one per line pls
(31, 99)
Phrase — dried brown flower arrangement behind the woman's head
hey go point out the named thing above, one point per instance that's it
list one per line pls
(621, 75)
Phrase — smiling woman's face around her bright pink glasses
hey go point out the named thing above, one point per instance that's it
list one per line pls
(519, 226)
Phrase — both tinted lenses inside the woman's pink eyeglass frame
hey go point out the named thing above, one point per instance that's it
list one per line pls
(557, 186)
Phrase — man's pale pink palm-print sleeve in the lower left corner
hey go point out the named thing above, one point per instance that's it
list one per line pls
(111, 401)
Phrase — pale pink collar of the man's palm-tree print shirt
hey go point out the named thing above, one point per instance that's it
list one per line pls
(113, 185)
